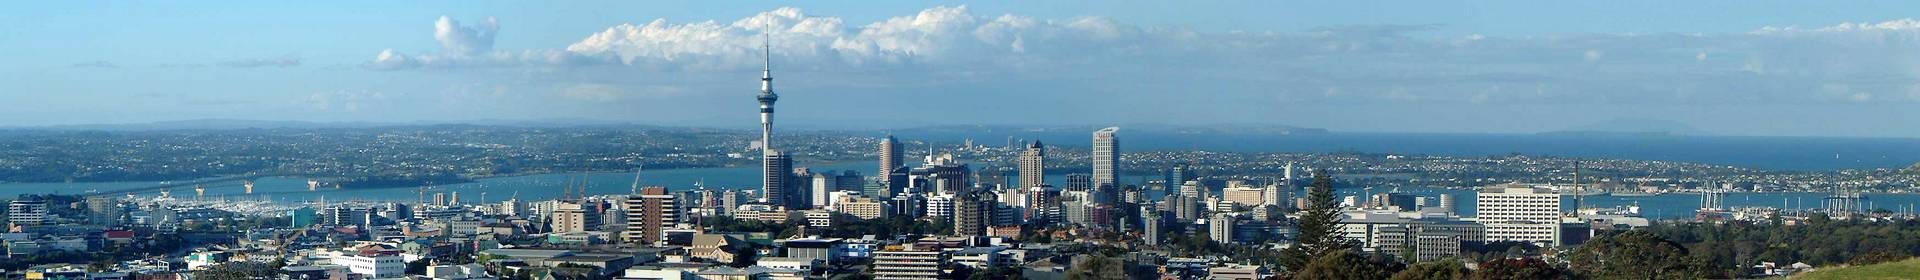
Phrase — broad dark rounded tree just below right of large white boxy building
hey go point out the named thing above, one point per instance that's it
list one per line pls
(1635, 254)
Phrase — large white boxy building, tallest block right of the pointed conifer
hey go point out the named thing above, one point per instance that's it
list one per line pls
(1520, 214)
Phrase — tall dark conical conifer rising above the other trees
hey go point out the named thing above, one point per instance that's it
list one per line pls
(1320, 225)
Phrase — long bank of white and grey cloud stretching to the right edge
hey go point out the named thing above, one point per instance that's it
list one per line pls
(1343, 64)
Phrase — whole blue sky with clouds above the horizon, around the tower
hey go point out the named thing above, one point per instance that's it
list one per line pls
(1717, 68)
